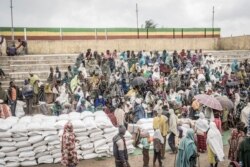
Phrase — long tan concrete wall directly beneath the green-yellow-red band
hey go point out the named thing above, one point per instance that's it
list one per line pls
(76, 46)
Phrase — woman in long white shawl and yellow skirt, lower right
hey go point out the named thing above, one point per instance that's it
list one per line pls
(215, 145)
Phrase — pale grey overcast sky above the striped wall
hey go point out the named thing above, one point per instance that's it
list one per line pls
(232, 16)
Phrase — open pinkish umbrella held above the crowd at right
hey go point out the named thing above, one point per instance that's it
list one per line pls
(209, 101)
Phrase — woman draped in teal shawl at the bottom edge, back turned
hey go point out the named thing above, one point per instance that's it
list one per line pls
(187, 151)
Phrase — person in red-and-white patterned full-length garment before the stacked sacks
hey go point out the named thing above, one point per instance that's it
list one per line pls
(68, 147)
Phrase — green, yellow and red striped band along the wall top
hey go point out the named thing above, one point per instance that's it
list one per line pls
(108, 33)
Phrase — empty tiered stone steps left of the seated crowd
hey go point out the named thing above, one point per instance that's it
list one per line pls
(18, 68)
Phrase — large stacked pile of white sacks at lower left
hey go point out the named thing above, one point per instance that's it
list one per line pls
(33, 140)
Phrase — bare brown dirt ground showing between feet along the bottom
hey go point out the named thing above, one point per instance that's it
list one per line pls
(136, 161)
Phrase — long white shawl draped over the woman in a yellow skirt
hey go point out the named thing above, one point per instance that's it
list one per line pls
(214, 140)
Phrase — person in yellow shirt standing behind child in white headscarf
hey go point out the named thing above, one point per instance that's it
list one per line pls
(161, 122)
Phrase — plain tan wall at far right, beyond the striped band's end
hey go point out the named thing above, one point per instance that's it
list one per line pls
(234, 43)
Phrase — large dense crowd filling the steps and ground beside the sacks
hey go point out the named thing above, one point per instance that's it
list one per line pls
(130, 86)
